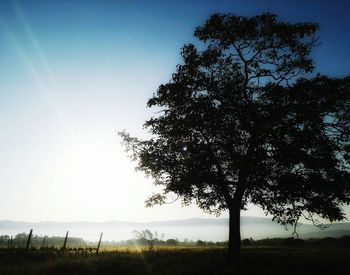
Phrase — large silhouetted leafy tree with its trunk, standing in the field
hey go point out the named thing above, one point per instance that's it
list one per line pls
(239, 123)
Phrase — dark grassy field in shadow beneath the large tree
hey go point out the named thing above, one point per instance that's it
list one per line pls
(196, 260)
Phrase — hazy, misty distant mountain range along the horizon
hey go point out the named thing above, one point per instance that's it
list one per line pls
(191, 229)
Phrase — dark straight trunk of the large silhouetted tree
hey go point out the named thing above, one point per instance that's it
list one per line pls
(234, 242)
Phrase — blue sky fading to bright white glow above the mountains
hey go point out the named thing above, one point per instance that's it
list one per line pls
(74, 73)
